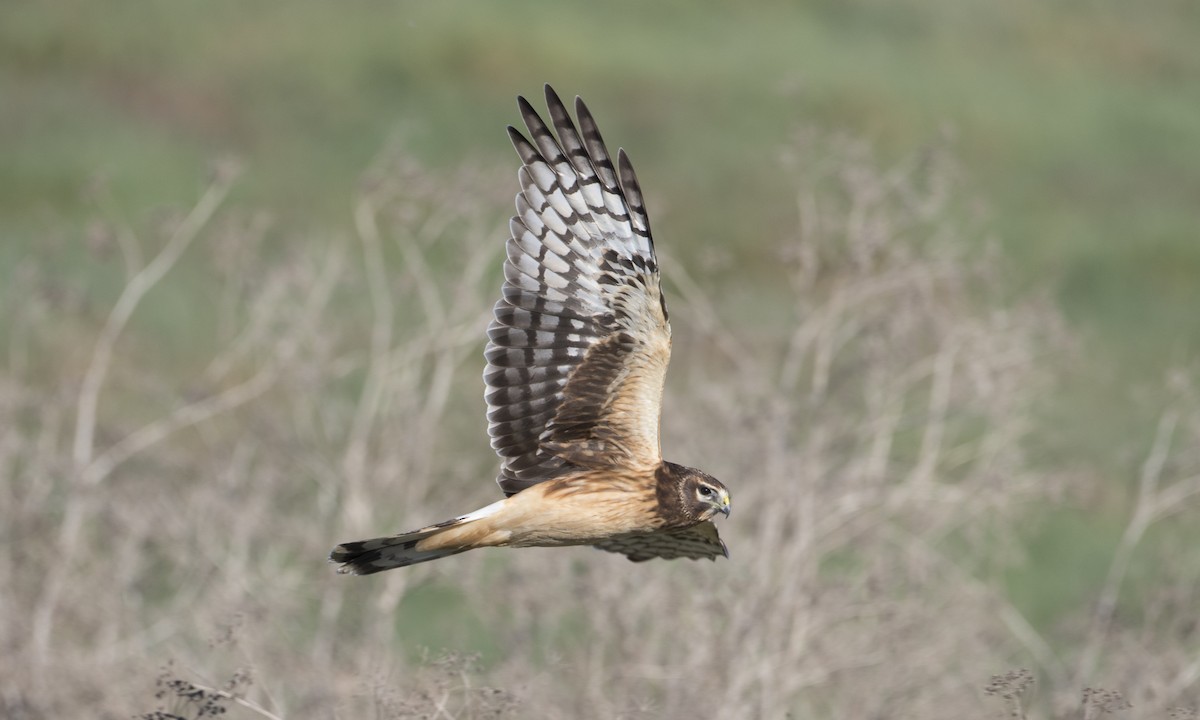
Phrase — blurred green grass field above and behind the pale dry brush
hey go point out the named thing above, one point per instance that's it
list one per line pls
(1076, 127)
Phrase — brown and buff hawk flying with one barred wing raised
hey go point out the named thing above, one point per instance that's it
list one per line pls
(577, 358)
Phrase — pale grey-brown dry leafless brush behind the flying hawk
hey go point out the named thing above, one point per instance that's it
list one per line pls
(872, 430)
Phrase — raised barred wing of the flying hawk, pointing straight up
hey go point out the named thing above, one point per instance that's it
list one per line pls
(580, 344)
